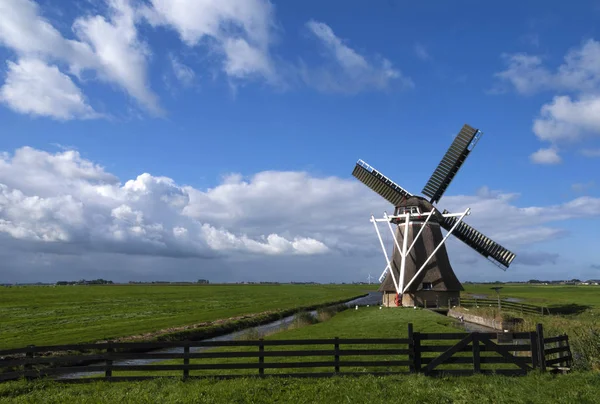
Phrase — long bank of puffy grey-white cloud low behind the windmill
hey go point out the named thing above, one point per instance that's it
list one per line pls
(62, 205)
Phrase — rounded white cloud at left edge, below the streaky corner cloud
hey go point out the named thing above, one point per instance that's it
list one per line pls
(33, 87)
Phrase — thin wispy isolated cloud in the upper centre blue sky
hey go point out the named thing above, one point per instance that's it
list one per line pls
(349, 71)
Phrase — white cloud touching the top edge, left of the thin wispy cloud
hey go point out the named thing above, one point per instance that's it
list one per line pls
(239, 30)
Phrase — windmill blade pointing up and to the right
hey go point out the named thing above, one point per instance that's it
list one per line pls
(451, 162)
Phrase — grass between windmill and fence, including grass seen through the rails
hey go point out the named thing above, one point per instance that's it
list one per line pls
(363, 323)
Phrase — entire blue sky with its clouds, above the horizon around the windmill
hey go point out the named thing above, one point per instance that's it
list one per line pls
(297, 92)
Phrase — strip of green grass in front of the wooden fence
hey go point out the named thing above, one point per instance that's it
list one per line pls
(575, 388)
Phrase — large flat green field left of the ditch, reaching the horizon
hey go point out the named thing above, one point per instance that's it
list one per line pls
(73, 314)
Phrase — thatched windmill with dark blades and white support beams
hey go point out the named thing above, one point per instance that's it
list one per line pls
(419, 272)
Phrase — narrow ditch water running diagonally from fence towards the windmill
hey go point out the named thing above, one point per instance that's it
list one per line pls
(373, 298)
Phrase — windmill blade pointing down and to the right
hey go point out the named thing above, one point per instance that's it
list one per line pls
(480, 243)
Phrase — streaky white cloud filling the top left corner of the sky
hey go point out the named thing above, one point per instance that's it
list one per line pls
(108, 47)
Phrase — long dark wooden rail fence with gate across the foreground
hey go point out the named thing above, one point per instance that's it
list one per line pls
(428, 353)
